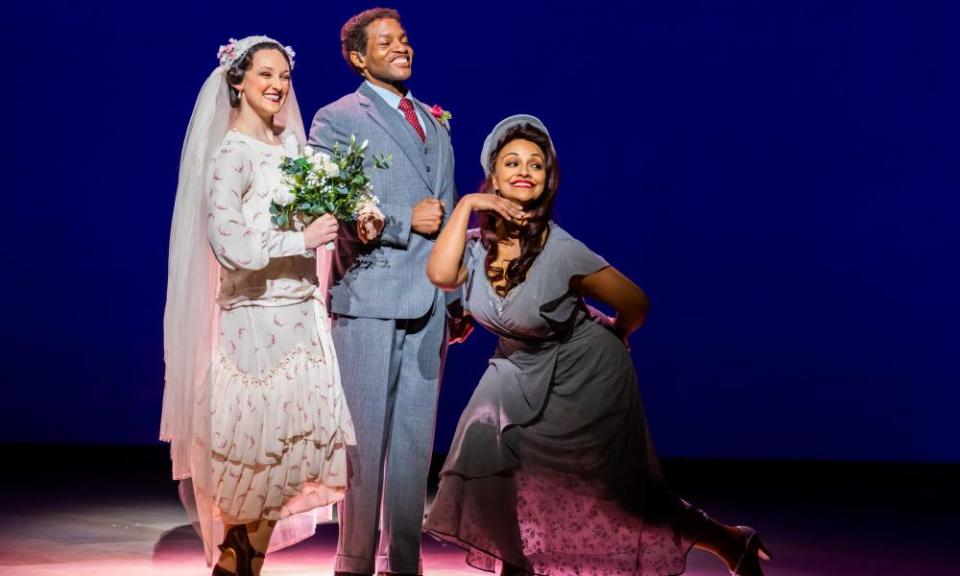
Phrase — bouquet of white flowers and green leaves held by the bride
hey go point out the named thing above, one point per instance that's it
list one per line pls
(319, 184)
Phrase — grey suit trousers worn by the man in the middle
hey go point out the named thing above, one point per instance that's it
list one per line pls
(391, 378)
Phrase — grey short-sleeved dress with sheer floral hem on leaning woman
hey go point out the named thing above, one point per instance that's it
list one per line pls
(551, 468)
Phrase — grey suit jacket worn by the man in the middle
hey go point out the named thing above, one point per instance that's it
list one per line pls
(387, 278)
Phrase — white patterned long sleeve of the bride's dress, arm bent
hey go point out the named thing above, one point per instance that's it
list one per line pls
(236, 244)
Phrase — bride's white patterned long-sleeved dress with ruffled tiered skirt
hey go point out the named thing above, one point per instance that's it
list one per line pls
(279, 425)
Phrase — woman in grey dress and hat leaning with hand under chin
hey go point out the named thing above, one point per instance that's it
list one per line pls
(551, 470)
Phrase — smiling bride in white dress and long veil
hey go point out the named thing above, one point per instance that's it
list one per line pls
(253, 405)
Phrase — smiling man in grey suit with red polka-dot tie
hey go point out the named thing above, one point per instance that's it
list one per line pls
(389, 321)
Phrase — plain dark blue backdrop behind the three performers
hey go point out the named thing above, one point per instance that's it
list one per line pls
(780, 177)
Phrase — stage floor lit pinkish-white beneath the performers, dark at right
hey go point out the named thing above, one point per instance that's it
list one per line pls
(113, 511)
